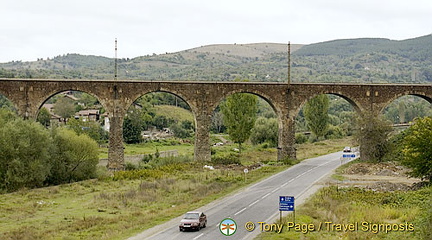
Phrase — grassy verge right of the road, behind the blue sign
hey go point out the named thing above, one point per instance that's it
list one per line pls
(408, 213)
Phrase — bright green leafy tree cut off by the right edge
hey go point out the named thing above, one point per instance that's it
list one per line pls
(417, 151)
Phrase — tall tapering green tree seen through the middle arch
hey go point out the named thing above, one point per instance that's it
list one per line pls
(239, 112)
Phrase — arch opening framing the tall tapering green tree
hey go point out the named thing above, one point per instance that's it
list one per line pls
(264, 131)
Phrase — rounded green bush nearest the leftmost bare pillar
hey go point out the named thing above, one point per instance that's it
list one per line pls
(75, 158)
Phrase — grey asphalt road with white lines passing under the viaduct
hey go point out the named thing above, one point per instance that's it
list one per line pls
(257, 203)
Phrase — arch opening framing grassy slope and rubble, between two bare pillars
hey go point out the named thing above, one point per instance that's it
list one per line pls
(158, 123)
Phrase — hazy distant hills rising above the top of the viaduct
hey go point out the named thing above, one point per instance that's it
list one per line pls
(367, 60)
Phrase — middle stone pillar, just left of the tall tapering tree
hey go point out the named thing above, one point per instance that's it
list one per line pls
(202, 136)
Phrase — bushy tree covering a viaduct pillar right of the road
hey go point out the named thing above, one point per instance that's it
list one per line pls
(372, 134)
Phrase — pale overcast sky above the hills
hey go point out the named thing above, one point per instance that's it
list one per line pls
(32, 29)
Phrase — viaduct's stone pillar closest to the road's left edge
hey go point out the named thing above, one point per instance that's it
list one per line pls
(286, 140)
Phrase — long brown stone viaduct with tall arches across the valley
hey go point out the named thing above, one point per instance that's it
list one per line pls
(28, 95)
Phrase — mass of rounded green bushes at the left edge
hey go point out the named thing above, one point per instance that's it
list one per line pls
(32, 156)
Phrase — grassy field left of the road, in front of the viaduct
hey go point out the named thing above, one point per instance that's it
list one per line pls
(121, 205)
